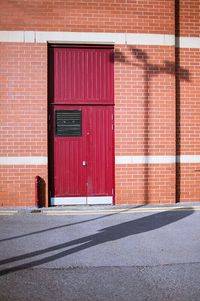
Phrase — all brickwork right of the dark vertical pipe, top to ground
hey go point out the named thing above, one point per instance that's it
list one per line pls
(188, 95)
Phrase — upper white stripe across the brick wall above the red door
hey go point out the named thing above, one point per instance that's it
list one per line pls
(98, 37)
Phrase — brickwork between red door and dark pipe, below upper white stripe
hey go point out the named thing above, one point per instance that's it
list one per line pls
(145, 122)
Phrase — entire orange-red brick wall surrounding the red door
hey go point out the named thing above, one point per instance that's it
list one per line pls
(156, 95)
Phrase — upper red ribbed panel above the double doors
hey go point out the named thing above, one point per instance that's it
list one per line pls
(82, 75)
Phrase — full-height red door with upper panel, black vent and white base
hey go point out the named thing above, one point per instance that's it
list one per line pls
(81, 98)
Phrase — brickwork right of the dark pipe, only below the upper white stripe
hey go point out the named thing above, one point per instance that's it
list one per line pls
(189, 125)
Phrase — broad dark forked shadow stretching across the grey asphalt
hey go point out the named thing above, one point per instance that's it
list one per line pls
(108, 234)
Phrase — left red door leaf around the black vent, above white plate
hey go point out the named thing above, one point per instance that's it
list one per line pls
(69, 152)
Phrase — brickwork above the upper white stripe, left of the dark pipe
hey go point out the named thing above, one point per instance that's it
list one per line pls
(150, 16)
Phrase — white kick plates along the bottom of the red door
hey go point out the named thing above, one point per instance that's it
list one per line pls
(93, 200)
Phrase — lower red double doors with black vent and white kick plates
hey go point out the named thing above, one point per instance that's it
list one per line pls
(82, 155)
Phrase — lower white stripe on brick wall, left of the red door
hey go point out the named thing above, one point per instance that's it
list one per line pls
(23, 160)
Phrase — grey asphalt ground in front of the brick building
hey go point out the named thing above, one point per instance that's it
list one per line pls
(117, 256)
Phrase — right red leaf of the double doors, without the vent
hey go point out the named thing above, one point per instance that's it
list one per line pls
(100, 151)
